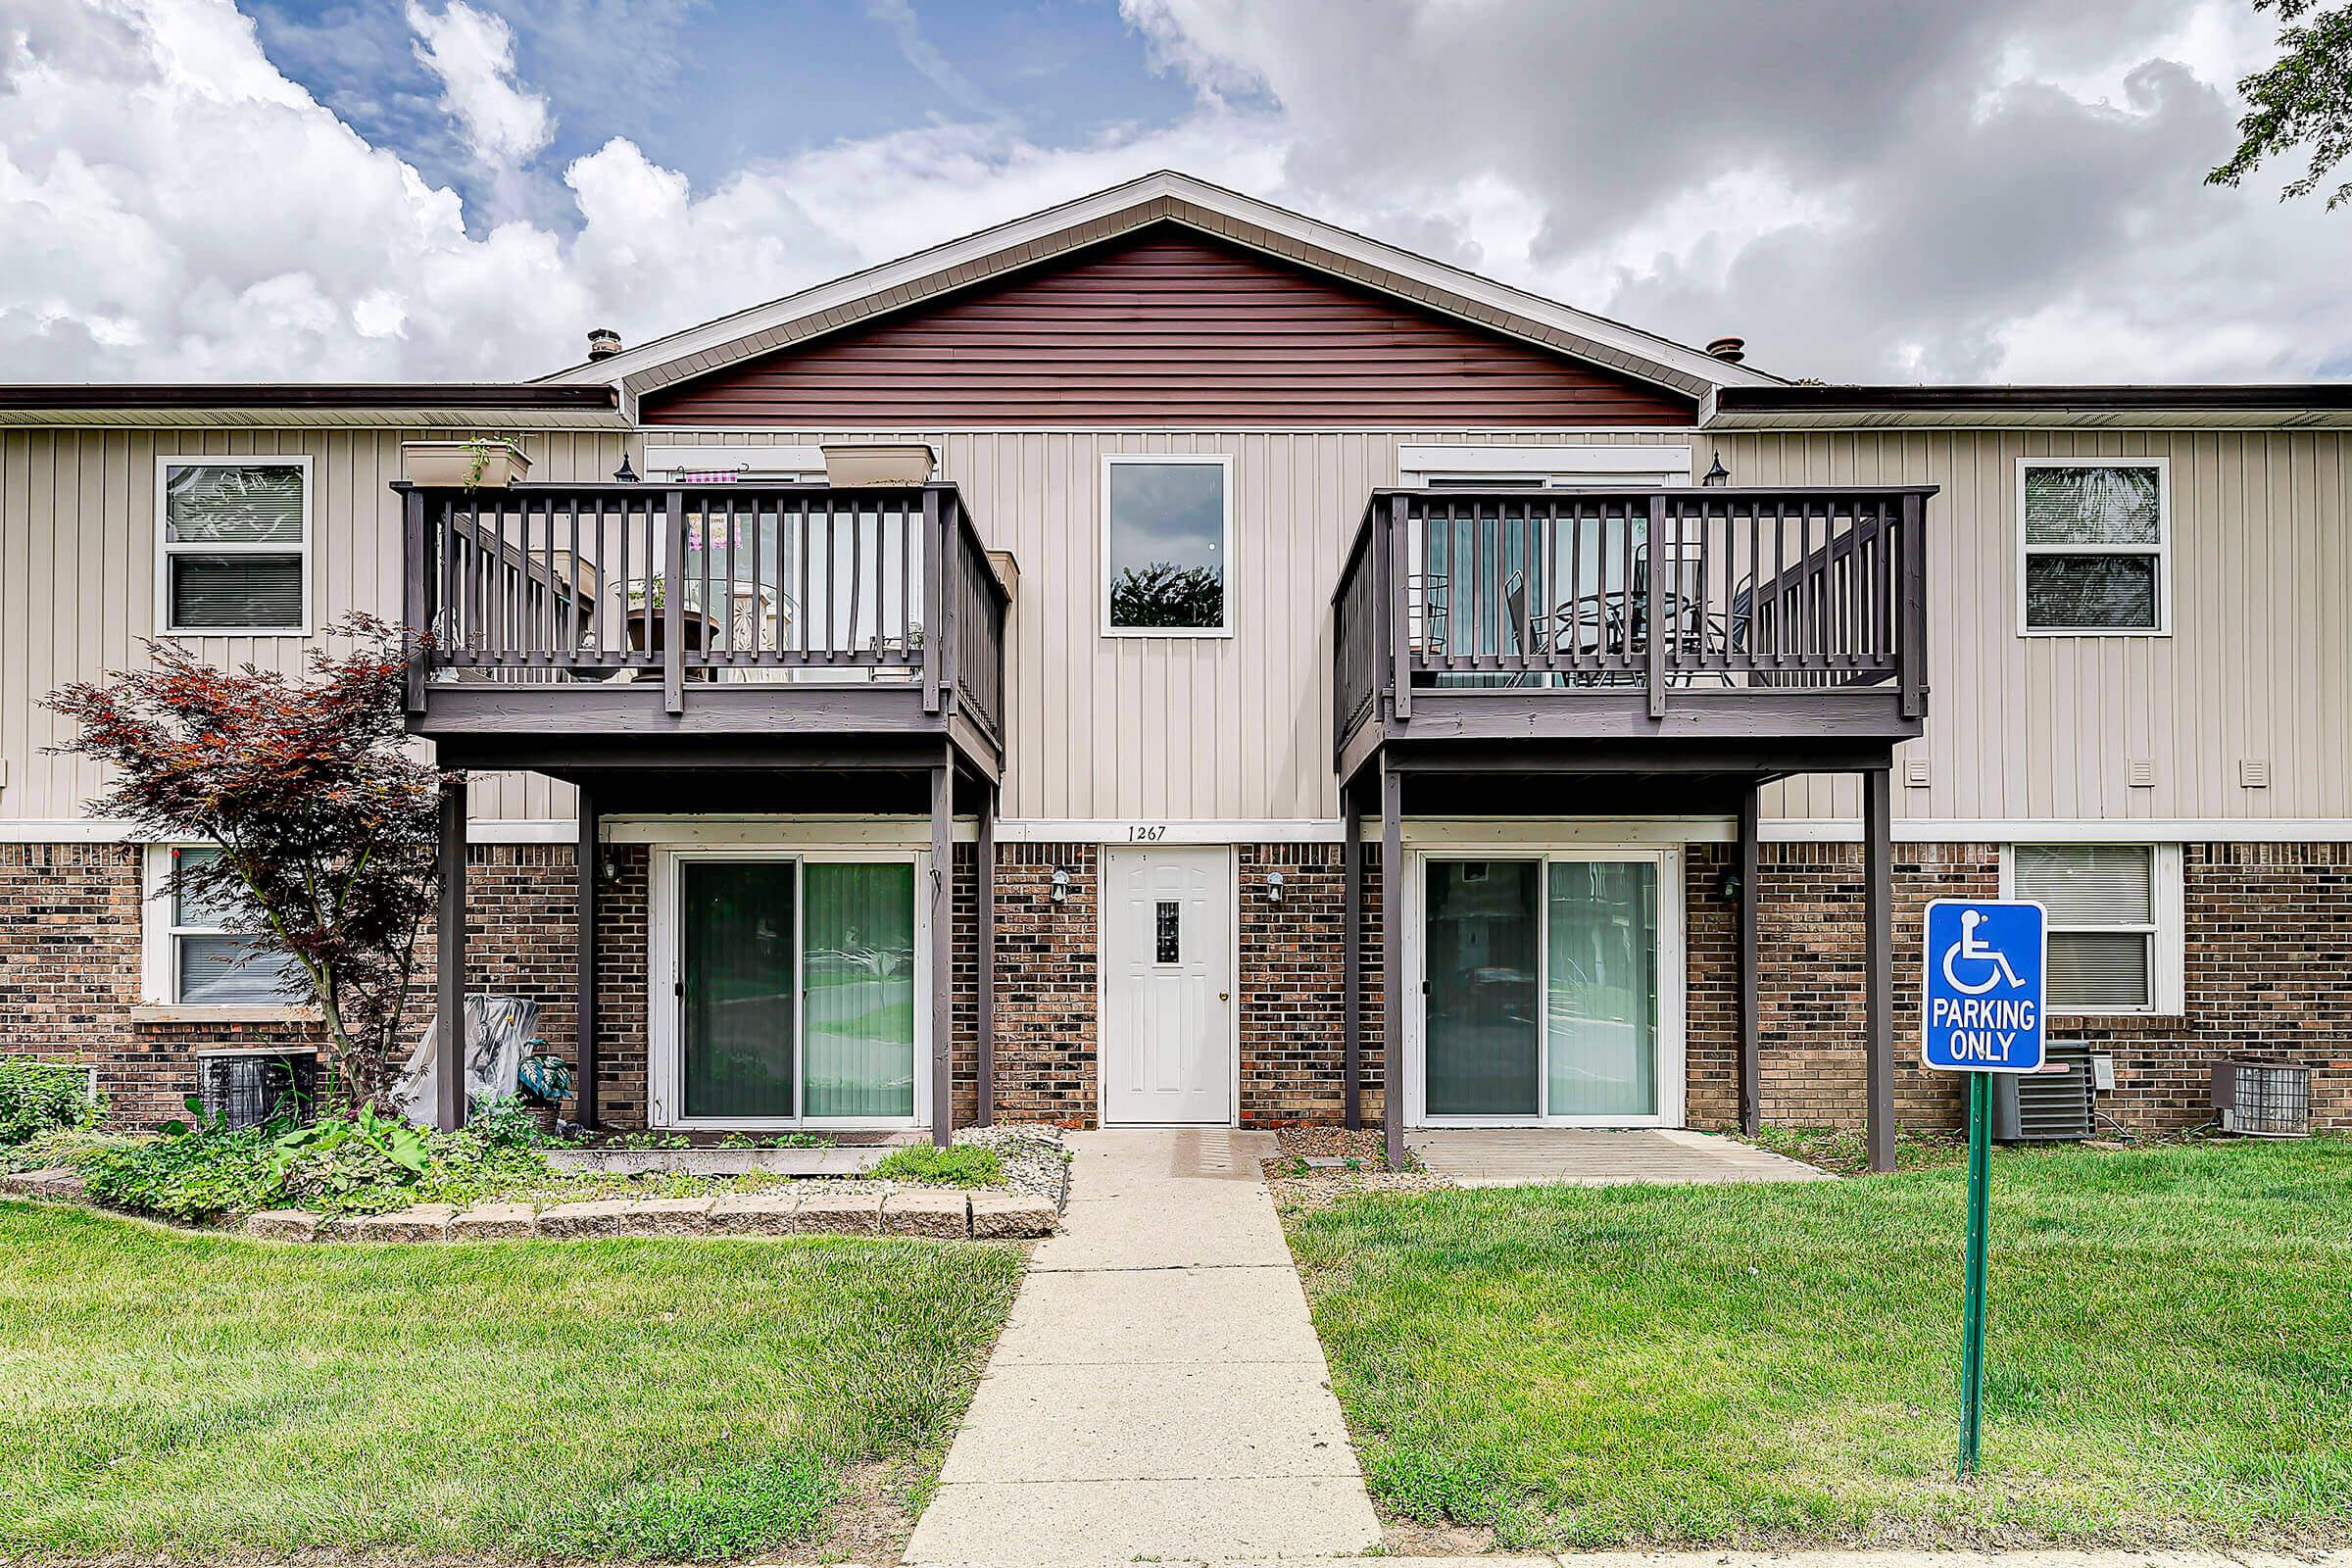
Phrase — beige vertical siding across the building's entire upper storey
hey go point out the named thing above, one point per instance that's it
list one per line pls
(1194, 730)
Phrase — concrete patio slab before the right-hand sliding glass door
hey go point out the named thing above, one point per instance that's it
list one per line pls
(1601, 1158)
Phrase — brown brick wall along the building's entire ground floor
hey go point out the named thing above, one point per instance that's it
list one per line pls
(2269, 974)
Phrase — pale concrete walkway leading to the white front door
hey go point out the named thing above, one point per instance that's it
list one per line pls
(1158, 1391)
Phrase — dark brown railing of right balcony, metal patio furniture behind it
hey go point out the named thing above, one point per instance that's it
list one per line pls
(1655, 591)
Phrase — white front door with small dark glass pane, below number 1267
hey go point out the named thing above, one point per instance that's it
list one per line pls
(1168, 986)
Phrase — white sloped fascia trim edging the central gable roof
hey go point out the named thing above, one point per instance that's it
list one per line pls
(1676, 366)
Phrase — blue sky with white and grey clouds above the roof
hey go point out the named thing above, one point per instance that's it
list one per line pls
(422, 189)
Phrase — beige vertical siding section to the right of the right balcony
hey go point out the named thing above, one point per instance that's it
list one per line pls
(2047, 728)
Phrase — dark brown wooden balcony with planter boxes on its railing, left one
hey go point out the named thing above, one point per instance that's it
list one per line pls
(575, 624)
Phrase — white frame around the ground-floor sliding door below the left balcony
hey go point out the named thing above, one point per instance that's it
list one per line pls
(667, 1040)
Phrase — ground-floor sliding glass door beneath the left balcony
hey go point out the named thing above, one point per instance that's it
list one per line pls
(796, 998)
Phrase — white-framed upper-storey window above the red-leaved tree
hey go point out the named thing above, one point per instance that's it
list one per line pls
(236, 547)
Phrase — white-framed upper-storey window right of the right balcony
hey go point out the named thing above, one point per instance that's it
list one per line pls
(2092, 547)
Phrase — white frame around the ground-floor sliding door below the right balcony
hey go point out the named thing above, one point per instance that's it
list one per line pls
(1673, 979)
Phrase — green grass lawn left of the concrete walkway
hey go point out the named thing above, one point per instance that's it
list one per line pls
(592, 1400)
